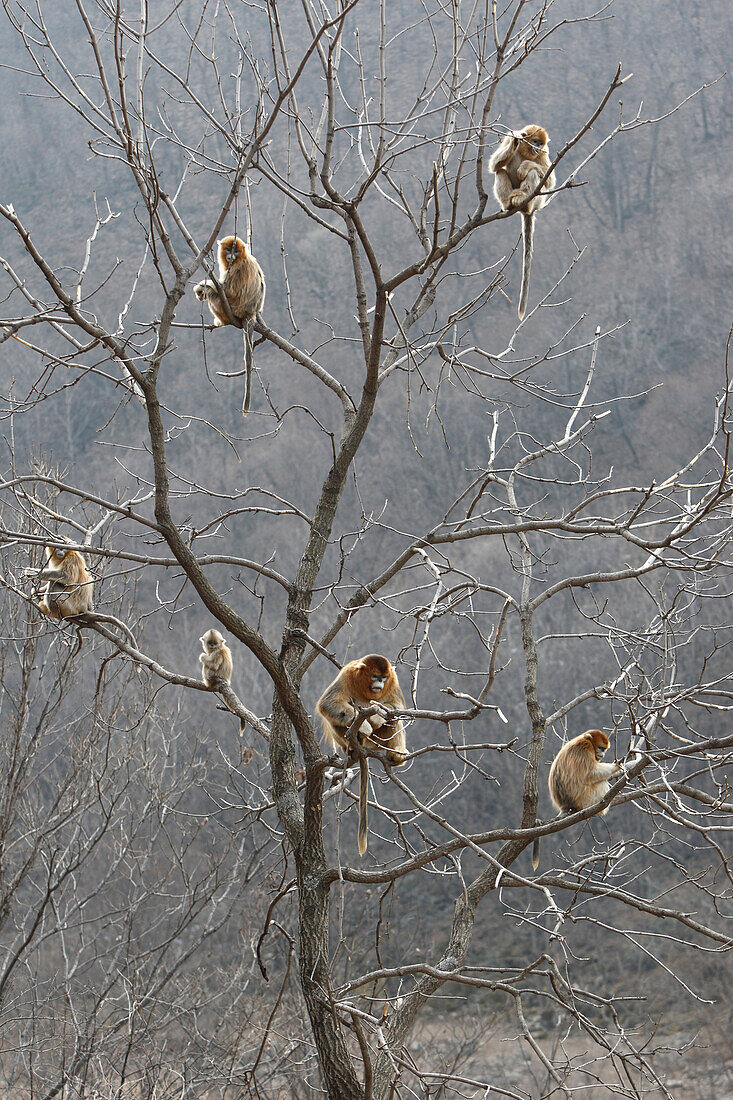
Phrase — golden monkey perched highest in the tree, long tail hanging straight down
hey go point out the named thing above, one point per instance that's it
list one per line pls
(519, 166)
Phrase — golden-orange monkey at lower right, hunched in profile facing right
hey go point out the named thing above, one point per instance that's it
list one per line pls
(578, 779)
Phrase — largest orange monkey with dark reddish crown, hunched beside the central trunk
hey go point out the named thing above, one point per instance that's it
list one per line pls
(358, 686)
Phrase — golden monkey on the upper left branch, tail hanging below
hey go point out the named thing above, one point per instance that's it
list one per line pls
(245, 287)
